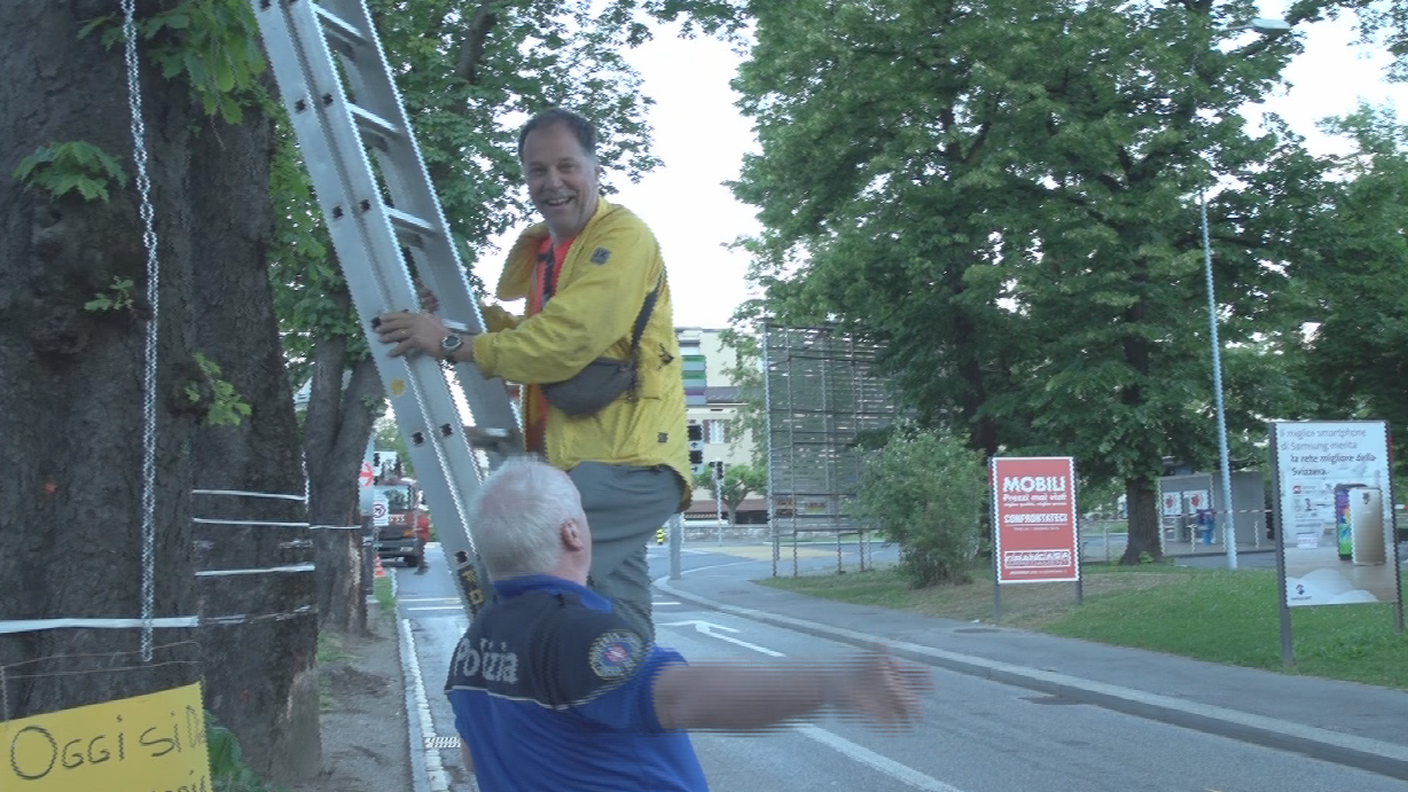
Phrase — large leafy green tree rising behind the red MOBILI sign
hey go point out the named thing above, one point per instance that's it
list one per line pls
(1007, 195)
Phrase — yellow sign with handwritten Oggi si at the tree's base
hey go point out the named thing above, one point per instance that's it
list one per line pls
(139, 745)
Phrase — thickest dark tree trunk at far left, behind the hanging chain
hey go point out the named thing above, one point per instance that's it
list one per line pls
(73, 404)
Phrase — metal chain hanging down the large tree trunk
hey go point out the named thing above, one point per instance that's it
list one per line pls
(144, 190)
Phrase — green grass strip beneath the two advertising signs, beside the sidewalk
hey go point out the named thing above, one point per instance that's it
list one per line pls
(1216, 615)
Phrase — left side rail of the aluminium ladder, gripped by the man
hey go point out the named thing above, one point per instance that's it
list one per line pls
(375, 270)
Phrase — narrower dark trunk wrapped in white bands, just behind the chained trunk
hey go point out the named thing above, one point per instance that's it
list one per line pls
(261, 672)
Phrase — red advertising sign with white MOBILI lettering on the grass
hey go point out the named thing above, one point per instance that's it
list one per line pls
(1034, 519)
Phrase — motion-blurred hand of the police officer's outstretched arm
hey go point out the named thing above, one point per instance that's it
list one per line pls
(881, 690)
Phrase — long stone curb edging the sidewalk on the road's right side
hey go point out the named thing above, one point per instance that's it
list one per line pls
(1375, 756)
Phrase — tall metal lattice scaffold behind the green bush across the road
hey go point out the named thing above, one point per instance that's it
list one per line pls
(820, 394)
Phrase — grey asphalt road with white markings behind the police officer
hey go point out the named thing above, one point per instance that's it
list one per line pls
(979, 736)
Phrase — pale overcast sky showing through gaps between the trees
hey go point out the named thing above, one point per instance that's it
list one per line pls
(702, 139)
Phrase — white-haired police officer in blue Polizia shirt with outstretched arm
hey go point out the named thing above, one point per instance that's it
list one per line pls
(553, 690)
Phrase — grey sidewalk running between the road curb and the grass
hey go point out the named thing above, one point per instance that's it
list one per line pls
(1341, 722)
